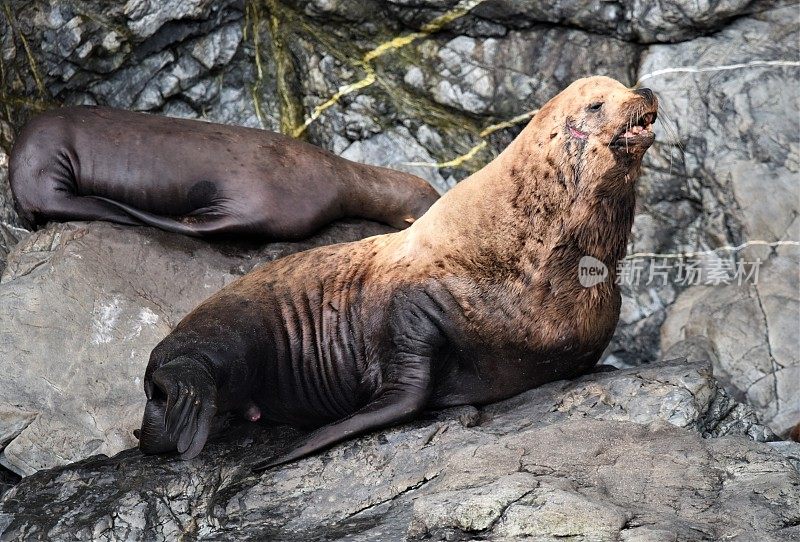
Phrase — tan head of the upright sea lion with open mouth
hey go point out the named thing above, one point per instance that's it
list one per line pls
(600, 127)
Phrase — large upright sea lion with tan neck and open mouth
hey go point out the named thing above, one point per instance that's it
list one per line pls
(477, 301)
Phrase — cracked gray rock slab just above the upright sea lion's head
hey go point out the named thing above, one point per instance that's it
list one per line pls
(520, 71)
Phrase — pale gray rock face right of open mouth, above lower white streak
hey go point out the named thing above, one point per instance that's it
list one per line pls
(718, 116)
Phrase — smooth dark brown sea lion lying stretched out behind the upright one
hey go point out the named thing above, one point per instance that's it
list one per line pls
(197, 178)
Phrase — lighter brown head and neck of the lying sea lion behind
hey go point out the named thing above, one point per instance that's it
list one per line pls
(389, 196)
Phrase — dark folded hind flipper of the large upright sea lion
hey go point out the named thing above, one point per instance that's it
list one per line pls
(190, 394)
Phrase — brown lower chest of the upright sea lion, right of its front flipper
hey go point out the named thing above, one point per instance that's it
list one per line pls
(511, 342)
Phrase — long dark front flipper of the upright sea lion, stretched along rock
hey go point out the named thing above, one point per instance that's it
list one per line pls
(393, 406)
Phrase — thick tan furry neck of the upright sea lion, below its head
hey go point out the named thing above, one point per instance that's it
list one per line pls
(544, 194)
